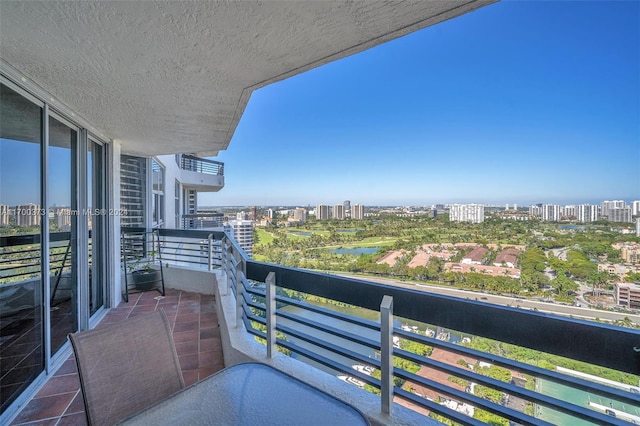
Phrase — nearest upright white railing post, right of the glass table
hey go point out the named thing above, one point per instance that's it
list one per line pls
(386, 354)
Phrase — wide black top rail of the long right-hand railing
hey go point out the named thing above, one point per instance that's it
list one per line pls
(590, 342)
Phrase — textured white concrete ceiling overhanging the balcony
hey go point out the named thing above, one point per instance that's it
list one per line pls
(170, 76)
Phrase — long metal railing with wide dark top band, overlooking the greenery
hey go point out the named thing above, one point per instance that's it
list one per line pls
(265, 313)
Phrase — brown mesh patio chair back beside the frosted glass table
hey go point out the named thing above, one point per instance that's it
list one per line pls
(126, 367)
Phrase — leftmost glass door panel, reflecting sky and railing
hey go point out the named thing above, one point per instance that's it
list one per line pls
(21, 302)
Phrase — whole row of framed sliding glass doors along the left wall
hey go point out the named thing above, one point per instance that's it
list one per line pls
(53, 235)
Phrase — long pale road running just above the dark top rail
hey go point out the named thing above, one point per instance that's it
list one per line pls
(553, 308)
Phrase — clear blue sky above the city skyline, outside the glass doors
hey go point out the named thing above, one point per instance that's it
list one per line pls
(518, 102)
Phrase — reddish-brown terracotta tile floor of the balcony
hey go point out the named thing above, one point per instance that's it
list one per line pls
(194, 324)
